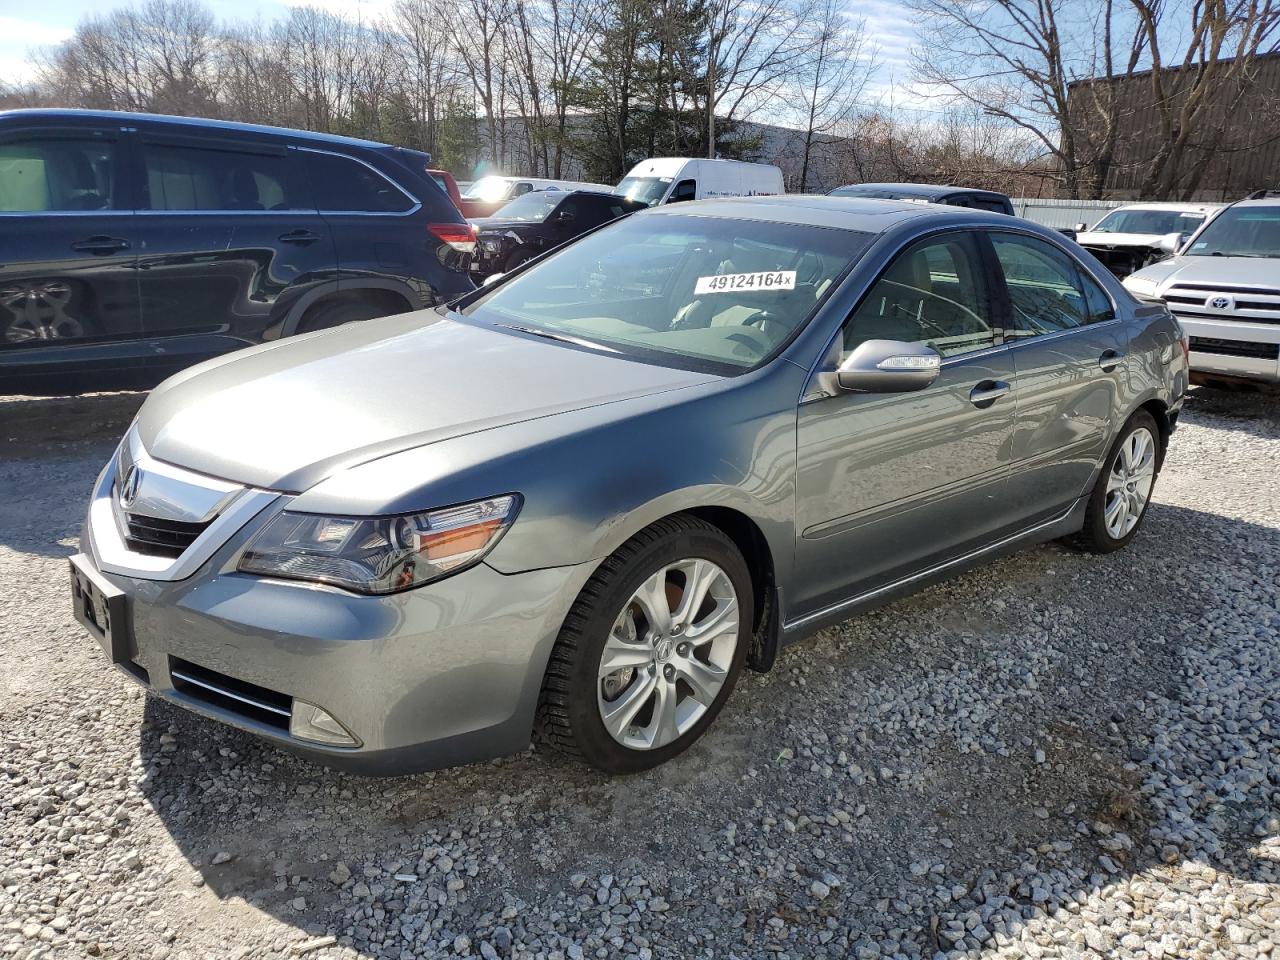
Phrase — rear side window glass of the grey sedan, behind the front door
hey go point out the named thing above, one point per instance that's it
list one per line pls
(1046, 290)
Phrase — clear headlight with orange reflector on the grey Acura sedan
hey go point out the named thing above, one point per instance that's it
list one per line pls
(380, 555)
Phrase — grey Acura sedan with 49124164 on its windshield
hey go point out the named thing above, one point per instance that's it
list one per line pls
(578, 502)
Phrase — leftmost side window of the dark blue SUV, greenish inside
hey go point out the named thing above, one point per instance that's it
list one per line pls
(56, 175)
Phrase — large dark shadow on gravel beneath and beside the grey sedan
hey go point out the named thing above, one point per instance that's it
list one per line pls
(1026, 721)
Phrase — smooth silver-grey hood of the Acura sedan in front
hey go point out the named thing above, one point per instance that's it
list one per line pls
(287, 415)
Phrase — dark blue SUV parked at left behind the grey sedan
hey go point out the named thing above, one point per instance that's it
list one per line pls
(132, 246)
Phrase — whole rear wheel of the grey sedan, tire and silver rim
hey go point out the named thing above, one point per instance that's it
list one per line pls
(1121, 486)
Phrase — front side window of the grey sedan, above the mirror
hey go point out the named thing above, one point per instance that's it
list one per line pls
(932, 294)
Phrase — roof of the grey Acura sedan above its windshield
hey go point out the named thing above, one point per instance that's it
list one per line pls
(845, 213)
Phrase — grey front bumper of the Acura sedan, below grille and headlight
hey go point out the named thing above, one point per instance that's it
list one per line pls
(446, 674)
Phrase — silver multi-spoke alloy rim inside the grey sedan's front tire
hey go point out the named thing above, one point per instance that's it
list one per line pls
(669, 655)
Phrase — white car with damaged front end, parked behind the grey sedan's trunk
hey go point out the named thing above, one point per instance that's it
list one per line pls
(1139, 235)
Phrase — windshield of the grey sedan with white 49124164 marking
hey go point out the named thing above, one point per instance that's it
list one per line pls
(706, 292)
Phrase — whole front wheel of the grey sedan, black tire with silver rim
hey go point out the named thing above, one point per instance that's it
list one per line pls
(577, 692)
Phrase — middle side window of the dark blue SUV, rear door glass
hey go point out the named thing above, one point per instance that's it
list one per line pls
(205, 179)
